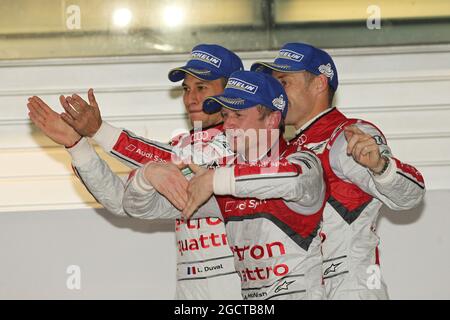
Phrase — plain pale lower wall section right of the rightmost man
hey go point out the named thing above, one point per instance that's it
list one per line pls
(414, 251)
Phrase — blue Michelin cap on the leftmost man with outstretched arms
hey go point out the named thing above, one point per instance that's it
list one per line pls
(208, 62)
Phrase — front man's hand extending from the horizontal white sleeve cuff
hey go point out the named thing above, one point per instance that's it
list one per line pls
(200, 189)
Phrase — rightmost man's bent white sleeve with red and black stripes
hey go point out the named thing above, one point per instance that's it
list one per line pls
(397, 189)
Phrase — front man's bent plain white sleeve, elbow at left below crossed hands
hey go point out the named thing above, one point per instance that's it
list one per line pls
(142, 201)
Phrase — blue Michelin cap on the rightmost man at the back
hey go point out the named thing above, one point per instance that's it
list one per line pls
(294, 57)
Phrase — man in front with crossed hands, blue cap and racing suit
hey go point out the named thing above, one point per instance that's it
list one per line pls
(271, 196)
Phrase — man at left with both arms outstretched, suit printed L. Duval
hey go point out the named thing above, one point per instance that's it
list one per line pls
(204, 260)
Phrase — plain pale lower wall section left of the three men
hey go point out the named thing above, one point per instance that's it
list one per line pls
(119, 258)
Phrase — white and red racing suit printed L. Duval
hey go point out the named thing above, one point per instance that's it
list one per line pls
(205, 267)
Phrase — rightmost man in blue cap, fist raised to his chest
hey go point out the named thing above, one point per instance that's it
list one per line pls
(361, 171)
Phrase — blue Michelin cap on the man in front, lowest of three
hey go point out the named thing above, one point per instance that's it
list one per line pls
(246, 89)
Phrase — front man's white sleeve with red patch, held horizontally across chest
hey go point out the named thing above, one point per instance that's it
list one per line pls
(297, 179)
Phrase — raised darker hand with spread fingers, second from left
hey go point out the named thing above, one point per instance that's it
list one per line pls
(84, 117)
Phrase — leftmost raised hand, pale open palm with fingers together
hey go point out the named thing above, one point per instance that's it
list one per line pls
(51, 123)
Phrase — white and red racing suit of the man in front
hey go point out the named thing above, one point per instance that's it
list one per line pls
(272, 211)
